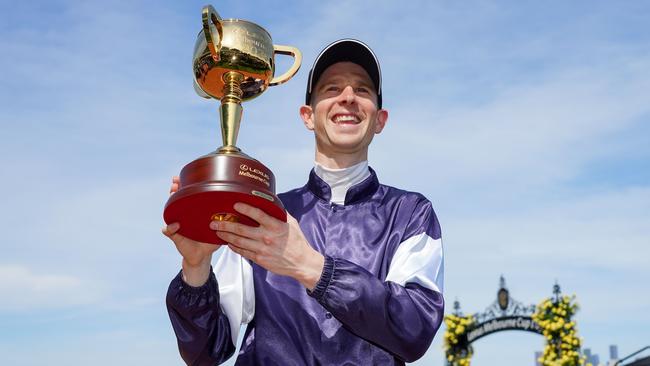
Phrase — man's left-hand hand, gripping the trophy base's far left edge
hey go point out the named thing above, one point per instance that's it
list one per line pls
(197, 256)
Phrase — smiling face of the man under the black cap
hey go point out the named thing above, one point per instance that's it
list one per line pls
(343, 115)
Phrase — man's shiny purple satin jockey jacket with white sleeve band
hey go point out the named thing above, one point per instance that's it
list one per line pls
(355, 315)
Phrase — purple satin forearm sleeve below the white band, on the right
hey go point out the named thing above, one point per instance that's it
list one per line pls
(402, 320)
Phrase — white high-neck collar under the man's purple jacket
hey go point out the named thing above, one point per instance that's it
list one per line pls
(340, 180)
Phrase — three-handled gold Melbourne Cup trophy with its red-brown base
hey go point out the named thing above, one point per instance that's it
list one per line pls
(233, 62)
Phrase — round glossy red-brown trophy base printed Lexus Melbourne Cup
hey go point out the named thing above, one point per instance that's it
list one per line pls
(211, 185)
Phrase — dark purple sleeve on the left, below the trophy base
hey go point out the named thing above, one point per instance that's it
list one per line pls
(202, 329)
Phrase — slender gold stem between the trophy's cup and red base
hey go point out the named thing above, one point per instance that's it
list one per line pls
(230, 111)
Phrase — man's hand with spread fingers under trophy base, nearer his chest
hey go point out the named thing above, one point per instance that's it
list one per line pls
(278, 246)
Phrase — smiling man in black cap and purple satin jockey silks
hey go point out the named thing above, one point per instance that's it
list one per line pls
(355, 274)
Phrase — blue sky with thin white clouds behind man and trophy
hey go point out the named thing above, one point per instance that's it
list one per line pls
(526, 123)
